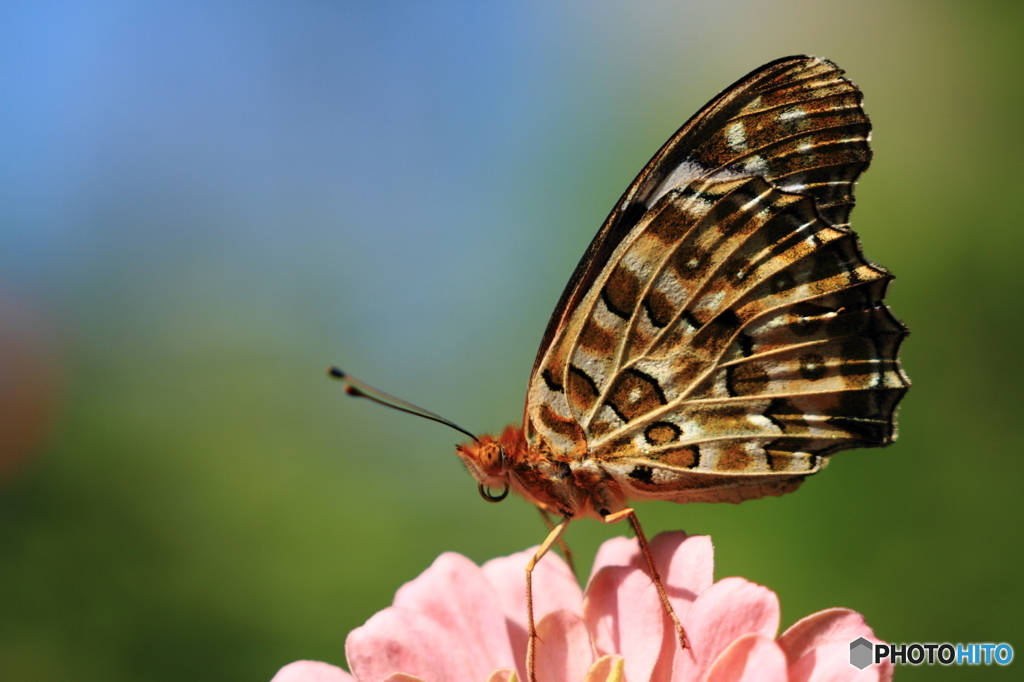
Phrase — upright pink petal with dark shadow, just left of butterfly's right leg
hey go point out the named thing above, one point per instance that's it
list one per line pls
(625, 616)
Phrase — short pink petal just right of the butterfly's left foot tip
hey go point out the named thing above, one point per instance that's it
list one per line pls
(564, 650)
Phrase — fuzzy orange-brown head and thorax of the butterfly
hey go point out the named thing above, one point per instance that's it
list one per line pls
(570, 487)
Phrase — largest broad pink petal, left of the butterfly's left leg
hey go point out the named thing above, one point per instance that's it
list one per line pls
(445, 625)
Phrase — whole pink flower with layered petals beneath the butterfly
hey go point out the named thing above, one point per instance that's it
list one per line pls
(462, 623)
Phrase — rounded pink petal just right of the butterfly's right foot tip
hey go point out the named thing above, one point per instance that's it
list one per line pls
(729, 610)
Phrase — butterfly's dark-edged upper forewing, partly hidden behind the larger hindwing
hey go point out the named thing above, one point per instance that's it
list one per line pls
(760, 125)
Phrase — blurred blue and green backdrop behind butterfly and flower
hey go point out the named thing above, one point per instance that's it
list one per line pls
(203, 205)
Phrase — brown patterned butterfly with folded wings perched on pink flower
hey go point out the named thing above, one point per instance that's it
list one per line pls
(723, 334)
